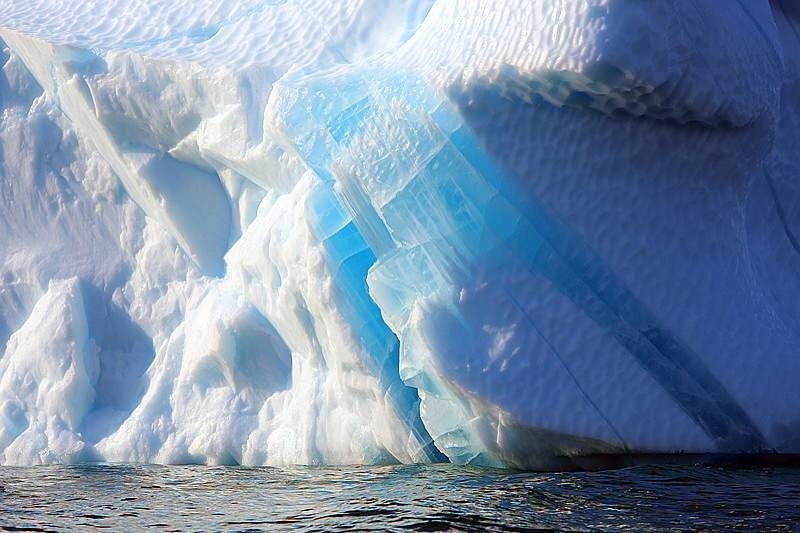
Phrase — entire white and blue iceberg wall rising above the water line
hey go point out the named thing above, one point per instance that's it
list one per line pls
(509, 232)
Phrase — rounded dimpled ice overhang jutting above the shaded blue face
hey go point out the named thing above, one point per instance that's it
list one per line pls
(673, 61)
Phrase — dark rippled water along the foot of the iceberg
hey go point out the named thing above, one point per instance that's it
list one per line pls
(423, 498)
